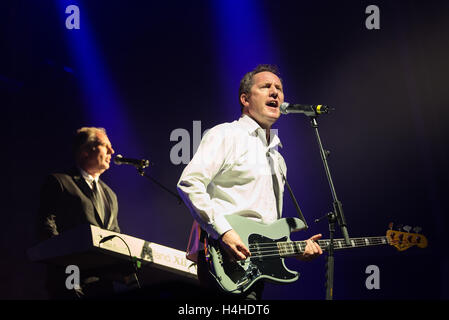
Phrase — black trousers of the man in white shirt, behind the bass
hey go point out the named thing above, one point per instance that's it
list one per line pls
(214, 292)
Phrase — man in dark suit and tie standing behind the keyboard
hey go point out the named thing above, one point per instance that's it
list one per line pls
(78, 196)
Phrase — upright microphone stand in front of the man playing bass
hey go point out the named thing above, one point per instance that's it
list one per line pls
(336, 215)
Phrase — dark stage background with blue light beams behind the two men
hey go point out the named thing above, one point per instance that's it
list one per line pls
(143, 69)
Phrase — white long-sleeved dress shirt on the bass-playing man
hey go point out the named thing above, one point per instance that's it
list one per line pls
(234, 171)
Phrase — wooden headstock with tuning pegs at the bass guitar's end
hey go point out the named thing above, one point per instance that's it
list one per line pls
(403, 240)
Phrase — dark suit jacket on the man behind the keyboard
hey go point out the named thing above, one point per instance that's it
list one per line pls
(66, 202)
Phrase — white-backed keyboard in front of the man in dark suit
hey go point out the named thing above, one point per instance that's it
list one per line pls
(92, 248)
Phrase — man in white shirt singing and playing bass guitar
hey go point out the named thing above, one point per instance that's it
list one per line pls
(237, 170)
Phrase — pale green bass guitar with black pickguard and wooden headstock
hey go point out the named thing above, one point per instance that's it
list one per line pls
(269, 244)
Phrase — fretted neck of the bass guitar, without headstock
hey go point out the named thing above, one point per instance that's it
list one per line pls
(294, 248)
